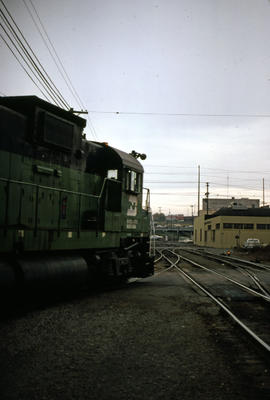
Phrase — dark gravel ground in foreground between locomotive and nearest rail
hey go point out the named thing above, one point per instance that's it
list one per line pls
(156, 338)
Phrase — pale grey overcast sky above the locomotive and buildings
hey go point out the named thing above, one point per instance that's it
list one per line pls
(136, 64)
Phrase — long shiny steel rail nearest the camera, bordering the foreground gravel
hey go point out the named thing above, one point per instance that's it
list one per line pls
(223, 306)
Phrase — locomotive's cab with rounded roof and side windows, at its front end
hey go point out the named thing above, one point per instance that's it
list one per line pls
(121, 191)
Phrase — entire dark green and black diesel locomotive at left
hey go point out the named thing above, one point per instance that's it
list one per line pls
(71, 209)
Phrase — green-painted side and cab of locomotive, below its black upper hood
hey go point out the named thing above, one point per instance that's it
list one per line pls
(46, 206)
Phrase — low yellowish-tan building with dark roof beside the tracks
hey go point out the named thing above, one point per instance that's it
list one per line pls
(229, 227)
